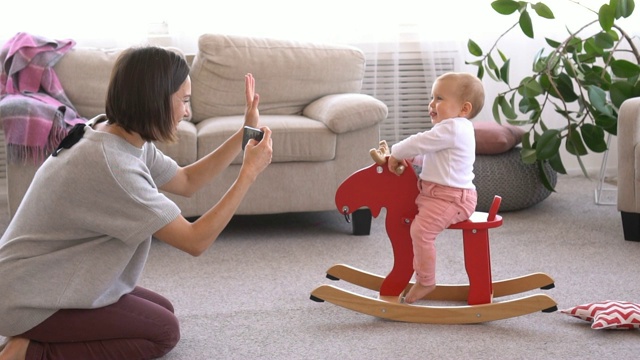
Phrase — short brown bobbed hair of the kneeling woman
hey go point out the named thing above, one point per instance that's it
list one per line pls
(139, 94)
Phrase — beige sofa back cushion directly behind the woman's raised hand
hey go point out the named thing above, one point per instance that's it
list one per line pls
(295, 74)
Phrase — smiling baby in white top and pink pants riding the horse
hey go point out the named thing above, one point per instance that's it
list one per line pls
(446, 154)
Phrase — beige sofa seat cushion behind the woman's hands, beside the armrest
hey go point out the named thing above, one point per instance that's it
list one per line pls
(295, 138)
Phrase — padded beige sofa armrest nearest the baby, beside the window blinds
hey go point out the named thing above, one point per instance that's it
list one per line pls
(347, 112)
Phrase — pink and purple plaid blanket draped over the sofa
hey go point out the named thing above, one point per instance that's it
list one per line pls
(34, 110)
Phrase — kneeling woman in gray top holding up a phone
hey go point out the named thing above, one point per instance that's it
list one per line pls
(75, 249)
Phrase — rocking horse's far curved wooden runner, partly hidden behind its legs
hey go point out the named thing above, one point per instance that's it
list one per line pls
(507, 287)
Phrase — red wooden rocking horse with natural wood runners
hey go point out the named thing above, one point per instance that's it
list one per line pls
(376, 187)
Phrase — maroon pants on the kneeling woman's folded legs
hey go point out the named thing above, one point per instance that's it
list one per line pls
(141, 325)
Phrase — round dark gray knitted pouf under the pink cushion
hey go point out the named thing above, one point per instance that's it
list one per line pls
(507, 176)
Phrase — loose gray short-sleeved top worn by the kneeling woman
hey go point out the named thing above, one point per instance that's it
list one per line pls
(82, 233)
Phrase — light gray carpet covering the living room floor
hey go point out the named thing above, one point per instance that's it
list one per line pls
(248, 296)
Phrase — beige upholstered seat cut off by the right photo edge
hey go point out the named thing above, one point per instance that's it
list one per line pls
(629, 168)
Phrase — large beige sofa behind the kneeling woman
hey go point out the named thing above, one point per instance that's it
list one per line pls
(310, 97)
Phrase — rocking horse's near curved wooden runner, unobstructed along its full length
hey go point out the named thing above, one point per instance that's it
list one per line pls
(433, 314)
